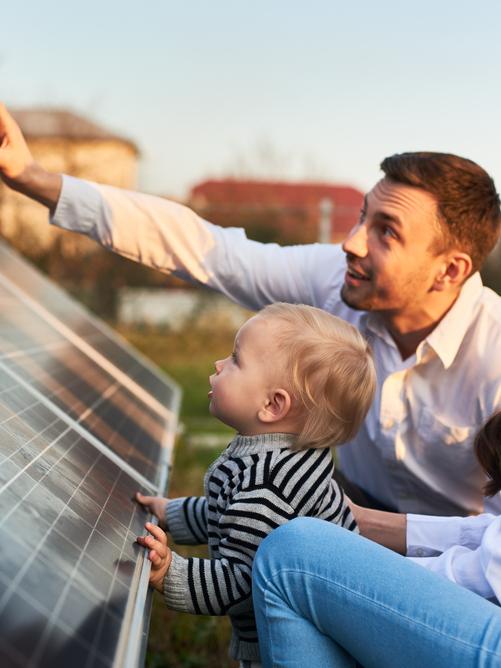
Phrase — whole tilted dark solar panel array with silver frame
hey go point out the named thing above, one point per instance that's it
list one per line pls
(76, 443)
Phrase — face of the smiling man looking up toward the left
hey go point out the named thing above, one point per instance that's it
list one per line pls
(390, 253)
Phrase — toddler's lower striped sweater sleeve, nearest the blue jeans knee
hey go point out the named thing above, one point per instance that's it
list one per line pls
(216, 586)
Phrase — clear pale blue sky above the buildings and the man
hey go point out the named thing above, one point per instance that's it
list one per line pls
(285, 88)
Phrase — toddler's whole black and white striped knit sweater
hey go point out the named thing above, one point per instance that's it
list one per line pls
(255, 485)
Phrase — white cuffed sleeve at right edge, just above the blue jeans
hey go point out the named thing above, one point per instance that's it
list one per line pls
(468, 549)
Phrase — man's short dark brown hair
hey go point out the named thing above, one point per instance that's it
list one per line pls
(468, 204)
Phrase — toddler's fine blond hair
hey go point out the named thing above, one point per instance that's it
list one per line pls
(331, 373)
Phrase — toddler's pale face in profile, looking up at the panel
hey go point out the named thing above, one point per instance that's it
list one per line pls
(243, 379)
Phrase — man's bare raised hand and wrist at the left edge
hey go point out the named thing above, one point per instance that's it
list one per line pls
(19, 170)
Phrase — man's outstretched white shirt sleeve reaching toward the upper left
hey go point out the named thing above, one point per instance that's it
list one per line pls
(171, 238)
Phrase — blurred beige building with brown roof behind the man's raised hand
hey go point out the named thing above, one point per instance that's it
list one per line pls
(63, 141)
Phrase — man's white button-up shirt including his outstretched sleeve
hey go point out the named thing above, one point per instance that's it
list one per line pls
(414, 451)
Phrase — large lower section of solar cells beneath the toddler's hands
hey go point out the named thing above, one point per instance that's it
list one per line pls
(67, 532)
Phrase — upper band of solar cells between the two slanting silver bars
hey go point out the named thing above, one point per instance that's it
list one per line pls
(78, 385)
